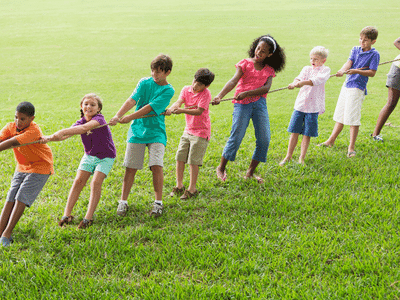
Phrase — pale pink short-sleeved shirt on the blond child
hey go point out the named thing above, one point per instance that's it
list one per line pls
(311, 99)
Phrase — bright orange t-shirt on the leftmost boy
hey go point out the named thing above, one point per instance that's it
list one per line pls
(35, 158)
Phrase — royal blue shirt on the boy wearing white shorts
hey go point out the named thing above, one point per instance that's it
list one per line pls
(368, 60)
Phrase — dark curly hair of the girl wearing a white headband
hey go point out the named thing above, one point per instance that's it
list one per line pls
(277, 60)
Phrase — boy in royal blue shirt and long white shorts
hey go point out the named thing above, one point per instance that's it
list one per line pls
(362, 64)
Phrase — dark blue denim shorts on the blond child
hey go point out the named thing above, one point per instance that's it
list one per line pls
(304, 123)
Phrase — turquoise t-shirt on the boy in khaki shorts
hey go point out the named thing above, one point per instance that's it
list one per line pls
(151, 129)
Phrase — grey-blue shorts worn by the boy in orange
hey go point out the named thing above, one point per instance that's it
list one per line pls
(25, 187)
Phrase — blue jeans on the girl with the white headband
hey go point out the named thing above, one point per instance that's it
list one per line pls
(242, 113)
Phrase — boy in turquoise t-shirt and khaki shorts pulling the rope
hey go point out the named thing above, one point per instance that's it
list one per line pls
(151, 97)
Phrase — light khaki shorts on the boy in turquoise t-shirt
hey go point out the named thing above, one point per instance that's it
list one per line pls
(134, 155)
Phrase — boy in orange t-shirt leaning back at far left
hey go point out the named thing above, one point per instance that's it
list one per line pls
(34, 166)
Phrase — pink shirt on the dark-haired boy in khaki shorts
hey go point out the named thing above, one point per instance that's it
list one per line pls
(197, 125)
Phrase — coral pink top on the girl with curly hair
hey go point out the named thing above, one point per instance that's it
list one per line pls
(252, 79)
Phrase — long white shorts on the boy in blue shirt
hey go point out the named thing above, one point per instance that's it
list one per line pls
(348, 107)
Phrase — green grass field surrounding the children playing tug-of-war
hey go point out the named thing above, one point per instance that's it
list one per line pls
(326, 230)
